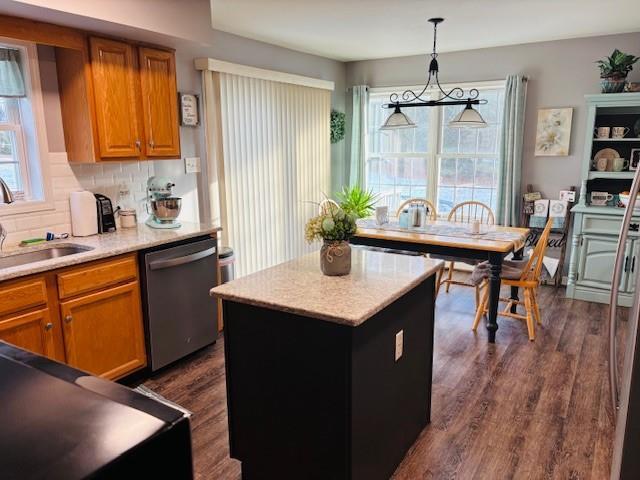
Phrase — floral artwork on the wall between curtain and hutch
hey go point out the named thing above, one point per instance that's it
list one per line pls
(553, 132)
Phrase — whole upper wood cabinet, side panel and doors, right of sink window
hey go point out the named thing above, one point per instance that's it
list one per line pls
(119, 101)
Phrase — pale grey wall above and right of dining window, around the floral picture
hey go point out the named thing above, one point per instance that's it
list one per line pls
(560, 74)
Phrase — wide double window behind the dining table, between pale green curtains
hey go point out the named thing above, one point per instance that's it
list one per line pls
(446, 165)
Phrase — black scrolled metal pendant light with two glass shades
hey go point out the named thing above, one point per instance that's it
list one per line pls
(468, 117)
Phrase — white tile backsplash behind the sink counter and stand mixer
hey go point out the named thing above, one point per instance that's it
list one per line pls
(102, 178)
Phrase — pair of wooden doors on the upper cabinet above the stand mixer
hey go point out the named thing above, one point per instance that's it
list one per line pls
(136, 100)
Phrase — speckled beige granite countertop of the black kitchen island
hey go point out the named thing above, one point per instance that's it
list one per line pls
(376, 280)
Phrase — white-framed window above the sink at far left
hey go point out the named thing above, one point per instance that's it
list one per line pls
(22, 138)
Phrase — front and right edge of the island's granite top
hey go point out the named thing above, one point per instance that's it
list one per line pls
(353, 321)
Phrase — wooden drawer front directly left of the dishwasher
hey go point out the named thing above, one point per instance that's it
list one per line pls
(96, 276)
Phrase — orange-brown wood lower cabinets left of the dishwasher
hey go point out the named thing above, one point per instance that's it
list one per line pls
(88, 316)
